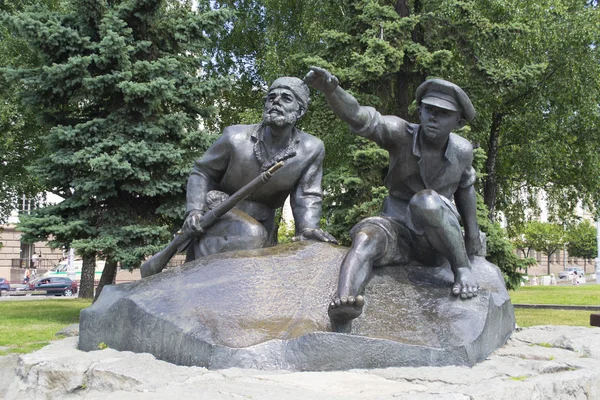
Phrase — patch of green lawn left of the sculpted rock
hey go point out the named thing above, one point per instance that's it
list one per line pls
(26, 326)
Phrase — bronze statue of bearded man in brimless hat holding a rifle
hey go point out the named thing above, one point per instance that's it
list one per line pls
(239, 156)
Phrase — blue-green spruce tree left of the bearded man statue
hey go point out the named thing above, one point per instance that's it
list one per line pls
(121, 90)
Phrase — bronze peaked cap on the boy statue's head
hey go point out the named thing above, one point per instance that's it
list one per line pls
(446, 95)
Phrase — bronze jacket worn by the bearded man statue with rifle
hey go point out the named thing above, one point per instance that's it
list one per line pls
(233, 161)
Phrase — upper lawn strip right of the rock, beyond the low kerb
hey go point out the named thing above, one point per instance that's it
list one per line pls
(583, 295)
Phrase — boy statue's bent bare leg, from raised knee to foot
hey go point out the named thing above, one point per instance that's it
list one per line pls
(443, 232)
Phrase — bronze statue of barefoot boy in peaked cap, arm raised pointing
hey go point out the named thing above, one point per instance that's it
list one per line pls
(429, 166)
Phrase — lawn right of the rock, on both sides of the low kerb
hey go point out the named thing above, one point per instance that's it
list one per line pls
(583, 295)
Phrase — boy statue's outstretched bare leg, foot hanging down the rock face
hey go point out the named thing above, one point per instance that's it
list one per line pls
(367, 246)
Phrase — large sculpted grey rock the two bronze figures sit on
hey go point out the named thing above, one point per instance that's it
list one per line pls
(267, 309)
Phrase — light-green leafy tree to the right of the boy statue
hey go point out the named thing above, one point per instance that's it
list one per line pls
(532, 67)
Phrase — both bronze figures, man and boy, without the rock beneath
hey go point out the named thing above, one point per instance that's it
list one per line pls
(430, 166)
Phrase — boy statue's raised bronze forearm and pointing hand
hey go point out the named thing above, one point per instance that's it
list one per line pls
(343, 104)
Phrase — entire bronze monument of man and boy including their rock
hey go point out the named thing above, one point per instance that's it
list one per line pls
(263, 308)
